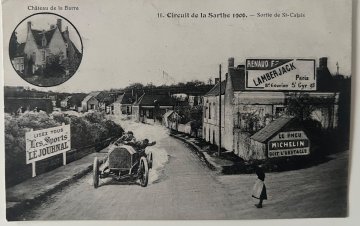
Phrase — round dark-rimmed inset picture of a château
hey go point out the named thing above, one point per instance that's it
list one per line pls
(45, 49)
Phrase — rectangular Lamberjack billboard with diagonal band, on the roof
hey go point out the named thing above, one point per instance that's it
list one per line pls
(281, 74)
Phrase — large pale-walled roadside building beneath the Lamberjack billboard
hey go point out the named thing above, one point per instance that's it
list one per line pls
(246, 112)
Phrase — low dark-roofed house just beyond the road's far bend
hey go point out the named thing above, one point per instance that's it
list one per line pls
(150, 108)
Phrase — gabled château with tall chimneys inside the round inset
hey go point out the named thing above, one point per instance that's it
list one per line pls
(41, 46)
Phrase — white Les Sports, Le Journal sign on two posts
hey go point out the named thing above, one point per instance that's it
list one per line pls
(42, 144)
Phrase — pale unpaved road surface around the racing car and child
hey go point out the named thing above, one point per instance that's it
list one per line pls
(182, 187)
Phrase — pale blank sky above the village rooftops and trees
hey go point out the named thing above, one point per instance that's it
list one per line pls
(125, 41)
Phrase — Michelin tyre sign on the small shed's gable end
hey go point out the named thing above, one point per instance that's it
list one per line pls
(290, 143)
